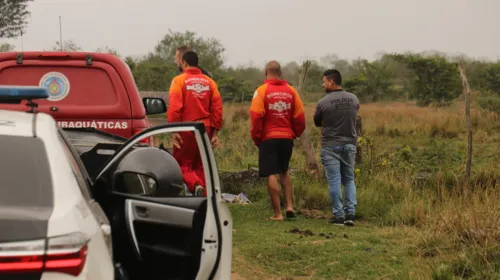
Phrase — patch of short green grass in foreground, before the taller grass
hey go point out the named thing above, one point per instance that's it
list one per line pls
(313, 249)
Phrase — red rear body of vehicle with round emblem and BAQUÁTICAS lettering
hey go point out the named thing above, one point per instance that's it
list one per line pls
(101, 94)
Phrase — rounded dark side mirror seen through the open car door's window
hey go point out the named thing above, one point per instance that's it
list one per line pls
(148, 171)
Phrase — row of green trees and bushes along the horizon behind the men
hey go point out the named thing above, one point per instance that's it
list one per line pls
(429, 78)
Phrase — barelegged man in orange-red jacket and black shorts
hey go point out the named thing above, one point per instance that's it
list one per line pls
(277, 115)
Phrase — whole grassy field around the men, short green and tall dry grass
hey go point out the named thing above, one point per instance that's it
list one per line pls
(414, 220)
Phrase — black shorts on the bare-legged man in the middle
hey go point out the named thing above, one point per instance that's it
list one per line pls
(274, 156)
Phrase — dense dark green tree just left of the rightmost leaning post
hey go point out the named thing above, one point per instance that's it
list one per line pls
(435, 80)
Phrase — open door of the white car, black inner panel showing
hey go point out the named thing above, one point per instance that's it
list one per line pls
(176, 237)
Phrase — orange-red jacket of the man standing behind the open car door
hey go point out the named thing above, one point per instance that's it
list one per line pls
(194, 96)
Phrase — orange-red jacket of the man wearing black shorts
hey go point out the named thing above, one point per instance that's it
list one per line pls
(276, 112)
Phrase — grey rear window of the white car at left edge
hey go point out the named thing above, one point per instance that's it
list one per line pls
(25, 172)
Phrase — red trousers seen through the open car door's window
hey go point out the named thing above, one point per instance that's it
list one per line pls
(189, 159)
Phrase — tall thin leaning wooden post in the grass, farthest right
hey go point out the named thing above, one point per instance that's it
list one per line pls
(466, 87)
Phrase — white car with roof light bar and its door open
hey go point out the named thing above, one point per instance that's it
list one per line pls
(126, 221)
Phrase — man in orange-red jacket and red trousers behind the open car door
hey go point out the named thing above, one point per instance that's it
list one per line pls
(194, 96)
